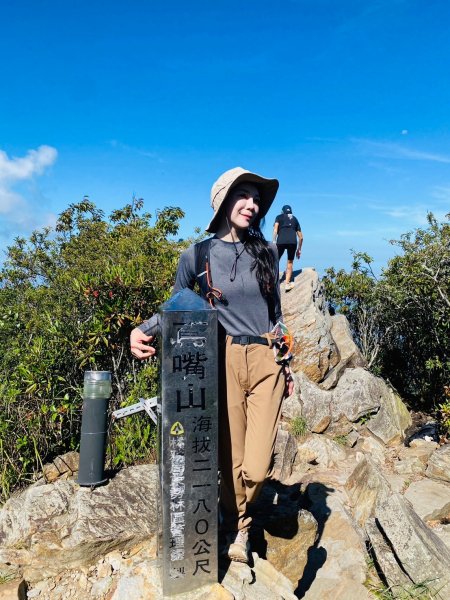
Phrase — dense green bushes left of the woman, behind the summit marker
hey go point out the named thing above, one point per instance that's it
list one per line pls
(68, 301)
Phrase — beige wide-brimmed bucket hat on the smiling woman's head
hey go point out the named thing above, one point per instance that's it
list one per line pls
(267, 190)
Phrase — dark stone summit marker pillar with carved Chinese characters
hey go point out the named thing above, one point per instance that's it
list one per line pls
(188, 415)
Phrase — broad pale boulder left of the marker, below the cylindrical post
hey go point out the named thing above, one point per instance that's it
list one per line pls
(49, 527)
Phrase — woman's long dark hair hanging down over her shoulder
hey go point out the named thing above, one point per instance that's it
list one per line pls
(264, 261)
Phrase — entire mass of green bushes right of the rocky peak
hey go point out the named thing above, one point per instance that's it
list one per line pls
(402, 319)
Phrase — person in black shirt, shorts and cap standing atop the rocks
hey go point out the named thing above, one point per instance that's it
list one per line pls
(286, 232)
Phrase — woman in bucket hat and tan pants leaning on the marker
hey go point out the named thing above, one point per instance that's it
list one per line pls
(242, 279)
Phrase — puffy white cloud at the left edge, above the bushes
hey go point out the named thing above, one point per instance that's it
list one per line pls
(15, 210)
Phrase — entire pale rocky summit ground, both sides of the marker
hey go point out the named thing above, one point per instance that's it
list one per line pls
(351, 513)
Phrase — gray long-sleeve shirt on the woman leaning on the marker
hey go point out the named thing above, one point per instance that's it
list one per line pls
(247, 311)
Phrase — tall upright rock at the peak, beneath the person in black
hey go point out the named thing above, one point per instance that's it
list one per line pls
(306, 315)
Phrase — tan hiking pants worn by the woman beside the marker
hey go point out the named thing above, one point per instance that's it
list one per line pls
(252, 386)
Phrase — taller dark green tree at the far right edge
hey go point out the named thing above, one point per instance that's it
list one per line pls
(416, 286)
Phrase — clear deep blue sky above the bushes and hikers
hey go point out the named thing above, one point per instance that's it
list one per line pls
(347, 103)
